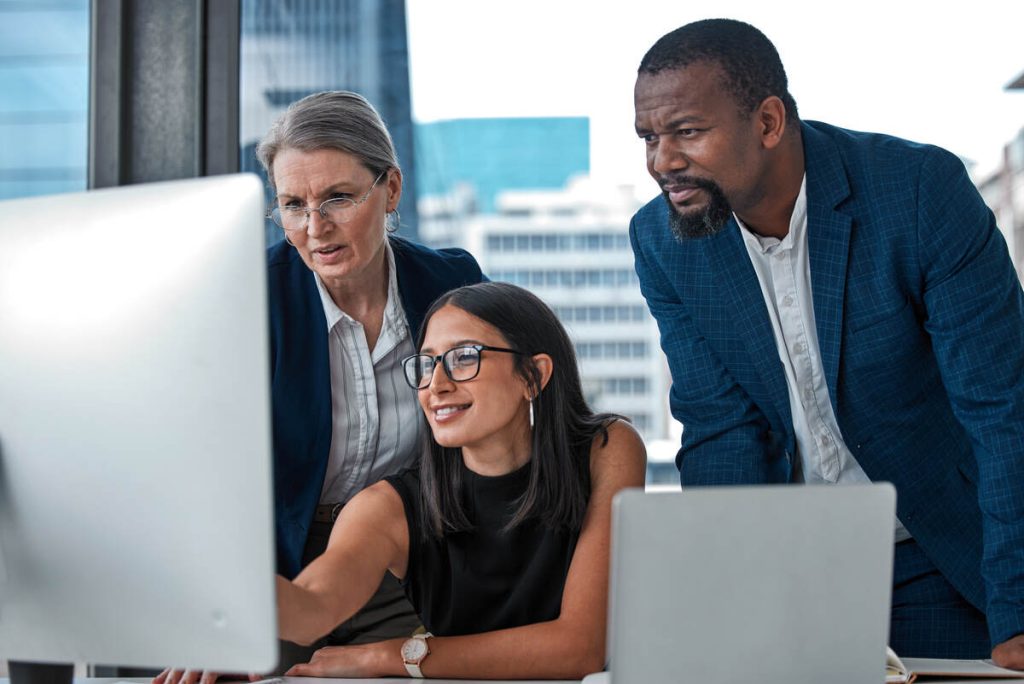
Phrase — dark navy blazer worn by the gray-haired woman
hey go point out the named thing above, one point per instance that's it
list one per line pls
(301, 373)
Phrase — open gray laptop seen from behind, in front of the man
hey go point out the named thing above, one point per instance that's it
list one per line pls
(772, 585)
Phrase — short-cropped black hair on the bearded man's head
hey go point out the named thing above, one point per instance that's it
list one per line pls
(752, 66)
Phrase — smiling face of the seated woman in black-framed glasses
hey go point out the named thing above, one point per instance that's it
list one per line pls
(488, 416)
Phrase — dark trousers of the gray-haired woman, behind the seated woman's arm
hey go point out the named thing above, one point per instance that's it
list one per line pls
(389, 615)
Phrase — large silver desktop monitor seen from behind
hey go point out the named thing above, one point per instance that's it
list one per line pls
(136, 473)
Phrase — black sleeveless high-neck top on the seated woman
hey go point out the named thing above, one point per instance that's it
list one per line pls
(484, 579)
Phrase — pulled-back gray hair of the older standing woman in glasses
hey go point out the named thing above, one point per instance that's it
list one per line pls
(331, 120)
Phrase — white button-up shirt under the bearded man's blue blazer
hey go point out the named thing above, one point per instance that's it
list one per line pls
(785, 274)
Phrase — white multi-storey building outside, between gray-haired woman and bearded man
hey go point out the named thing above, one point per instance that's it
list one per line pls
(571, 247)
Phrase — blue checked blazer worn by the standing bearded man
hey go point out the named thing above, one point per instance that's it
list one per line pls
(920, 319)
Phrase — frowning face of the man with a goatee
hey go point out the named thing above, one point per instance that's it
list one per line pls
(702, 150)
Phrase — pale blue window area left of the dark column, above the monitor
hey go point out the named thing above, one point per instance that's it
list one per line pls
(45, 78)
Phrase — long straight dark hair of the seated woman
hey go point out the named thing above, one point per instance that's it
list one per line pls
(565, 426)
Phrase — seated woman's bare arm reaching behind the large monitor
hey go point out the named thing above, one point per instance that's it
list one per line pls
(370, 538)
